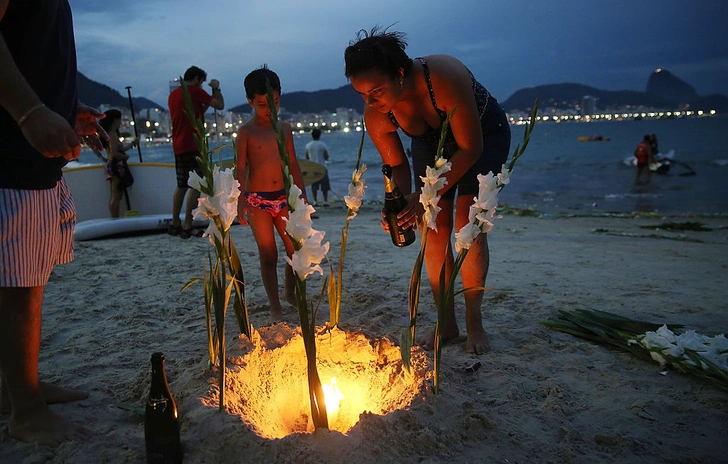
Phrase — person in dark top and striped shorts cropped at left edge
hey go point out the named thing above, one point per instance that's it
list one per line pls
(41, 128)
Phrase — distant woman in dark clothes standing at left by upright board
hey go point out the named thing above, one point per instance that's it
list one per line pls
(116, 167)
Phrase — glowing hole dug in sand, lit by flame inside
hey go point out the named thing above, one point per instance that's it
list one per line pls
(268, 385)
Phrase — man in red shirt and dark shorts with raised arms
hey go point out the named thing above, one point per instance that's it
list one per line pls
(183, 142)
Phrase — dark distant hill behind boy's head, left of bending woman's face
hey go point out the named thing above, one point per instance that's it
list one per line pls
(316, 102)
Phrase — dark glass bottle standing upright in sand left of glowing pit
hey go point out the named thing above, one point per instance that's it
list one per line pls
(161, 420)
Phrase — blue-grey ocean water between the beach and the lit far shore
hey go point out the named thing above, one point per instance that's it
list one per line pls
(558, 174)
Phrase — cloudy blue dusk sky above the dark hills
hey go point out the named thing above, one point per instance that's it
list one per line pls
(509, 45)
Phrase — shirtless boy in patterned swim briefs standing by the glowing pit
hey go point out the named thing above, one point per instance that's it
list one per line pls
(260, 173)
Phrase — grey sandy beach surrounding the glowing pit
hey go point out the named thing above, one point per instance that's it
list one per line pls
(539, 396)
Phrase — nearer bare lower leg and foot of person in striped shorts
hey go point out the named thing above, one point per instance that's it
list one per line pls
(31, 419)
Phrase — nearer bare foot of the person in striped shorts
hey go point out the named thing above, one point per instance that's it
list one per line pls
(44, 427)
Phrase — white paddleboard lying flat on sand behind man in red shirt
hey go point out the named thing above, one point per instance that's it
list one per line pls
(107, 227)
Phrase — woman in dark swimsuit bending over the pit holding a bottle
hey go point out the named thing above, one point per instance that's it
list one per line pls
(416, 96)
